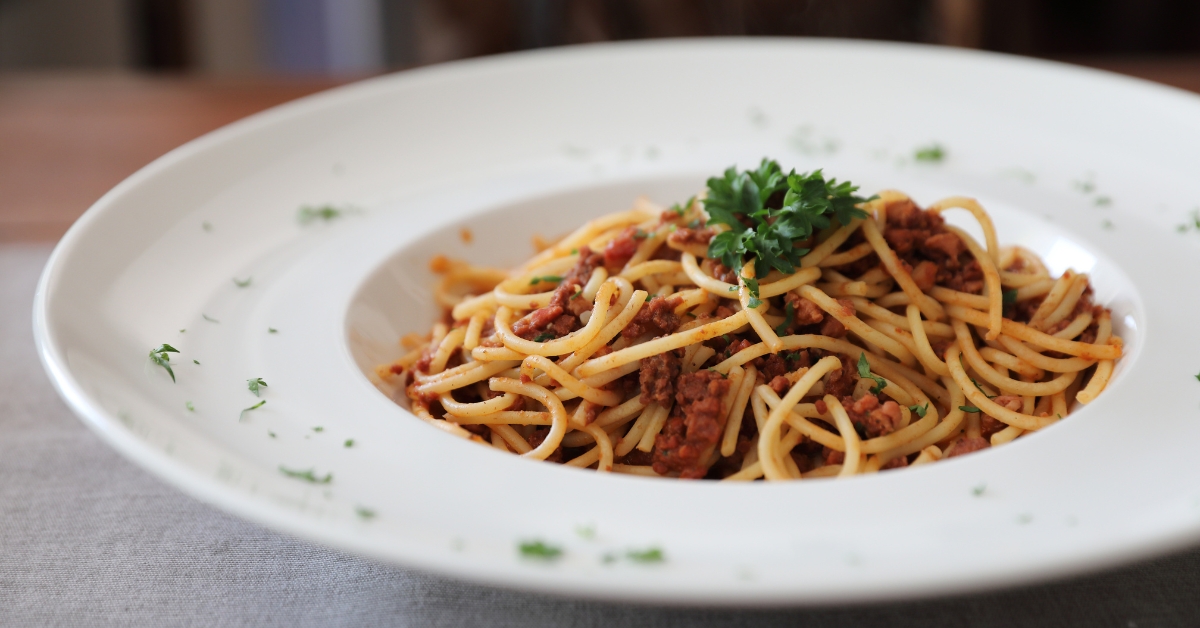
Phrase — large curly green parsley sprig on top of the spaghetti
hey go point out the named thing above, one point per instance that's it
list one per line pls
(808, 204)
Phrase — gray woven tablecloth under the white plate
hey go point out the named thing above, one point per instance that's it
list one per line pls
(89, 540)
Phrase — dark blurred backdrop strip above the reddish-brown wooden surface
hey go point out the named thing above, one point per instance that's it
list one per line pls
(232, 38)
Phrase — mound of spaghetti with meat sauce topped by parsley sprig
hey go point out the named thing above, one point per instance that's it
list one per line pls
(777, 327)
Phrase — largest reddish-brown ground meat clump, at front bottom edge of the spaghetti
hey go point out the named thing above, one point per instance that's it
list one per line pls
(694, 427)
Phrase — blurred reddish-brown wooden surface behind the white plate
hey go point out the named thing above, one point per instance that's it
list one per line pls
(68, 140)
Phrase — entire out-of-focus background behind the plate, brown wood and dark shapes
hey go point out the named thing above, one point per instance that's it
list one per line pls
(92, 91)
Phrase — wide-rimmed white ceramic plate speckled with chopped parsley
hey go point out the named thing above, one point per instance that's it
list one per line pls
(1090, 170)
